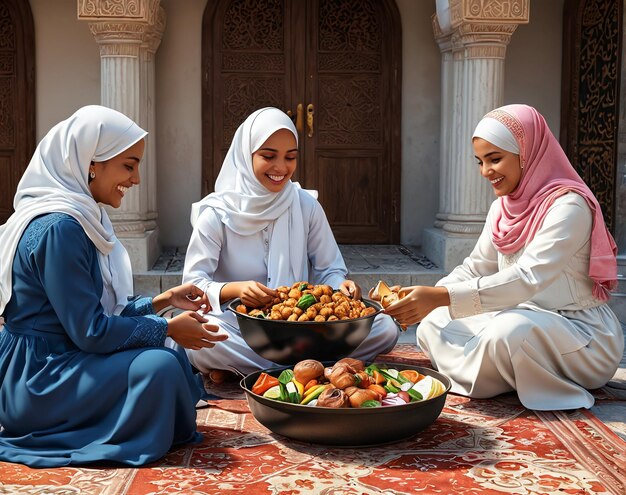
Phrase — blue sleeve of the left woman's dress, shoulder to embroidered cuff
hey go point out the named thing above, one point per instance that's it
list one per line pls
(62, 247)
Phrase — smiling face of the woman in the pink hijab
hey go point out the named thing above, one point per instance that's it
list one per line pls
(500, 167)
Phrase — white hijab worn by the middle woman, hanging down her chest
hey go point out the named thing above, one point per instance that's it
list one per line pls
(246, 207)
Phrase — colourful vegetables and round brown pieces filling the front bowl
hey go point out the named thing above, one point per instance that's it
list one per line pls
(347, 383)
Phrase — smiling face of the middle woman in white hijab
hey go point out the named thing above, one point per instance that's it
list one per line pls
(275, 161)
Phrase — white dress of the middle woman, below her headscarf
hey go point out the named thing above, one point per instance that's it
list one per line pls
(217, 255)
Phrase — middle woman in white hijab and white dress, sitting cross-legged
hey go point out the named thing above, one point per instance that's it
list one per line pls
(258, 231)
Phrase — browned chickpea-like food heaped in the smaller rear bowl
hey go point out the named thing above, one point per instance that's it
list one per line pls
(306, 302)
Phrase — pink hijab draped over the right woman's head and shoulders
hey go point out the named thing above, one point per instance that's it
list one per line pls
(547, 174)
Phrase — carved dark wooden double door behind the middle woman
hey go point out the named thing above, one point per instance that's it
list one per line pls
(335, 66)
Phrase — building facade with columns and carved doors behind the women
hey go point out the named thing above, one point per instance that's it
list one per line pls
(385, 94)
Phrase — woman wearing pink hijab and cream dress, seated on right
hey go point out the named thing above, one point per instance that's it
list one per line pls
(527, 310)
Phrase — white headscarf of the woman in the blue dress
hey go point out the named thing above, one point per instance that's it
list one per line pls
(56, 181)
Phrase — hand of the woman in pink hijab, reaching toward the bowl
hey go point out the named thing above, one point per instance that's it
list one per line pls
(416, 302)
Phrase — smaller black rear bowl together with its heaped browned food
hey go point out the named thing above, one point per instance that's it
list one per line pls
(306, 321)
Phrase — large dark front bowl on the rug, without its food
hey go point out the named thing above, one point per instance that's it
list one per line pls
(350, 426)
